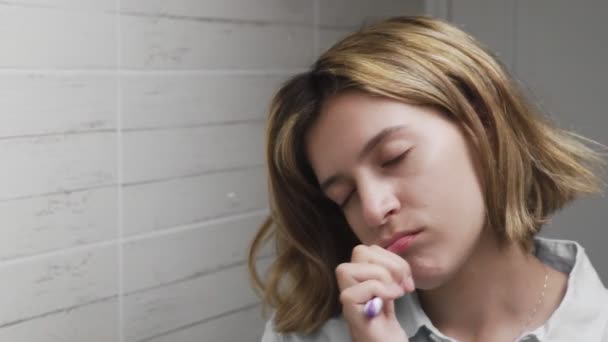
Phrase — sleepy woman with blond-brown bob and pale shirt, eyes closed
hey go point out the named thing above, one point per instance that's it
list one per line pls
(406, 166)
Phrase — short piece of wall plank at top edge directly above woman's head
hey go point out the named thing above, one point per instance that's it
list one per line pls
(353, 13)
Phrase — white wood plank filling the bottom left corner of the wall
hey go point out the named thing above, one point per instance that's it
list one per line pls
(97, 322)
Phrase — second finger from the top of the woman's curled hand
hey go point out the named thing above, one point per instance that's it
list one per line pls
(350, 274)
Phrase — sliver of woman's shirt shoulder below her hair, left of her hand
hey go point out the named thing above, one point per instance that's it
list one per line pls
(334, 330)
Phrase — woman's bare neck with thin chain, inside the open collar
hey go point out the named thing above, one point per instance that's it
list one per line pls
(497, 287)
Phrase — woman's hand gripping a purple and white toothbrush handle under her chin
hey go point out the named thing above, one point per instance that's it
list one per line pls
(373, 272)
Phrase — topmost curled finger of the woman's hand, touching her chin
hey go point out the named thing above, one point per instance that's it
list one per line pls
(396, 265)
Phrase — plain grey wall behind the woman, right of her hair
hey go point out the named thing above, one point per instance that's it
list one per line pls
(558, 51)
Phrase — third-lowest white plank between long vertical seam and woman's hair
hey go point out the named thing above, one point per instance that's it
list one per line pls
(159, 260)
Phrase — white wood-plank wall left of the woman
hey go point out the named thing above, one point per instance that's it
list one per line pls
(132, 179)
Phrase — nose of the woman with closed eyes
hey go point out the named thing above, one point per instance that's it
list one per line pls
(378, 201)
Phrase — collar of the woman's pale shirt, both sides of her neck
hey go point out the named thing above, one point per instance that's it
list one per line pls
(583, 302)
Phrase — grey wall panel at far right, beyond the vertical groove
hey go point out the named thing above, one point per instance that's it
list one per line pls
(561, 54)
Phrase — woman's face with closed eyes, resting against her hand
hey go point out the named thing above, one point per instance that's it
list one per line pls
(396, 168)
